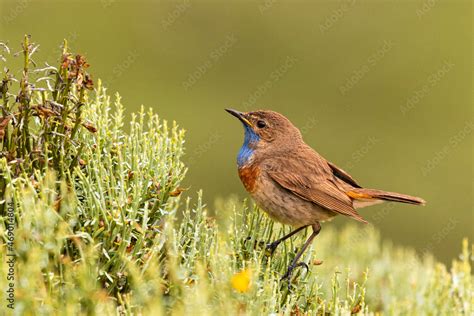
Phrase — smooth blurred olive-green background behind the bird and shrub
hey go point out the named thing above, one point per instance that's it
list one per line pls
(381, 88)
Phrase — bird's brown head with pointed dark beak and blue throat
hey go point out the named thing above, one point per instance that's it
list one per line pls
(265, 132)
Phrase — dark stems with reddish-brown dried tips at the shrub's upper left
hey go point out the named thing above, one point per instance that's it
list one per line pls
(40, 123)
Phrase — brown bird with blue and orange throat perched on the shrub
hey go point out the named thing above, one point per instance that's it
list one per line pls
(294, 184)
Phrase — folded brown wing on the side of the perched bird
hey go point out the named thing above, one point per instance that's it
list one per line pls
(309, 176)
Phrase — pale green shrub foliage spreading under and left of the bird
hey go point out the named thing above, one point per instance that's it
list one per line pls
(109, 235)
